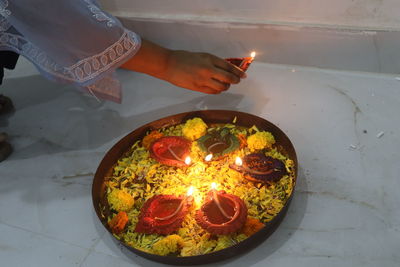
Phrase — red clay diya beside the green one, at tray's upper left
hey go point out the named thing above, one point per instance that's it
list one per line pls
(171, 151)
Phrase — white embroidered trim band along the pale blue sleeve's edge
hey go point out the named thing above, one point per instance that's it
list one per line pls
(84, 70)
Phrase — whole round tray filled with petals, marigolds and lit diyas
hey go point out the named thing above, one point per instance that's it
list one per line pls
(196, 187)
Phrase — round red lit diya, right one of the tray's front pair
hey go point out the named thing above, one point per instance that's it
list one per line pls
(221, 213)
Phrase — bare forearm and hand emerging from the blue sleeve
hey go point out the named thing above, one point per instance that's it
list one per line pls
(195, 71)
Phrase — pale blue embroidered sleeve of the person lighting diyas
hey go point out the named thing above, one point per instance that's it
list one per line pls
(69, 41)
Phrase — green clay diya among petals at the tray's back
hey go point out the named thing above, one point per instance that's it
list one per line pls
(218, 143)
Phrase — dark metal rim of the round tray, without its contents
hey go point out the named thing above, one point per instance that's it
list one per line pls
(209, 116)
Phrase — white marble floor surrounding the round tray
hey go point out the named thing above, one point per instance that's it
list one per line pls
(344, 212)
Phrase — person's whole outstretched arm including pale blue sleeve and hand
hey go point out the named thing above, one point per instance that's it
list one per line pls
(76, 42)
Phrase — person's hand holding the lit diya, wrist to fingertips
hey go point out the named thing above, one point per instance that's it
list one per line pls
(201, 72)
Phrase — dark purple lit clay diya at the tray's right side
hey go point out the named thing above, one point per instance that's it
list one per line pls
(259, 168)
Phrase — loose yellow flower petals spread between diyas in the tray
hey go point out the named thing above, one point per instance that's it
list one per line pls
(142, 177)
